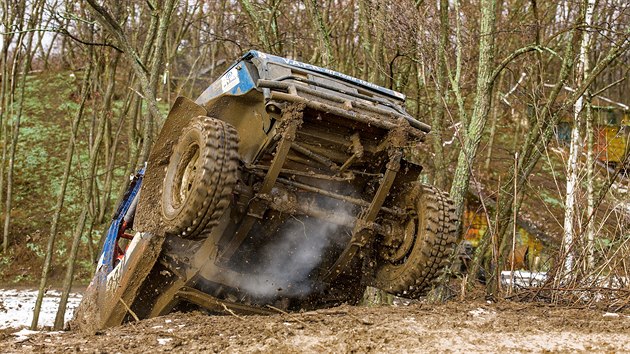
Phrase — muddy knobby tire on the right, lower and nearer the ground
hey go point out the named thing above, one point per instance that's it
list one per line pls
(433, 240)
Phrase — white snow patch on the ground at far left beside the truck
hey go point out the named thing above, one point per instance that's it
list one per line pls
(16, 307)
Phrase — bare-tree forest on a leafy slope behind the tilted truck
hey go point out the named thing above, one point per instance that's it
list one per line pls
(86, 85)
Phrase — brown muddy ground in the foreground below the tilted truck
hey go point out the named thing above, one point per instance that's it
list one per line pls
(452, 327)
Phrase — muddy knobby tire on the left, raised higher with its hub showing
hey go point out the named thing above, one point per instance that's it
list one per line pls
(200, 177)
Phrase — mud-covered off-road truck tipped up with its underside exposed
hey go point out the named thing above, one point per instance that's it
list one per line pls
(284, 186)
